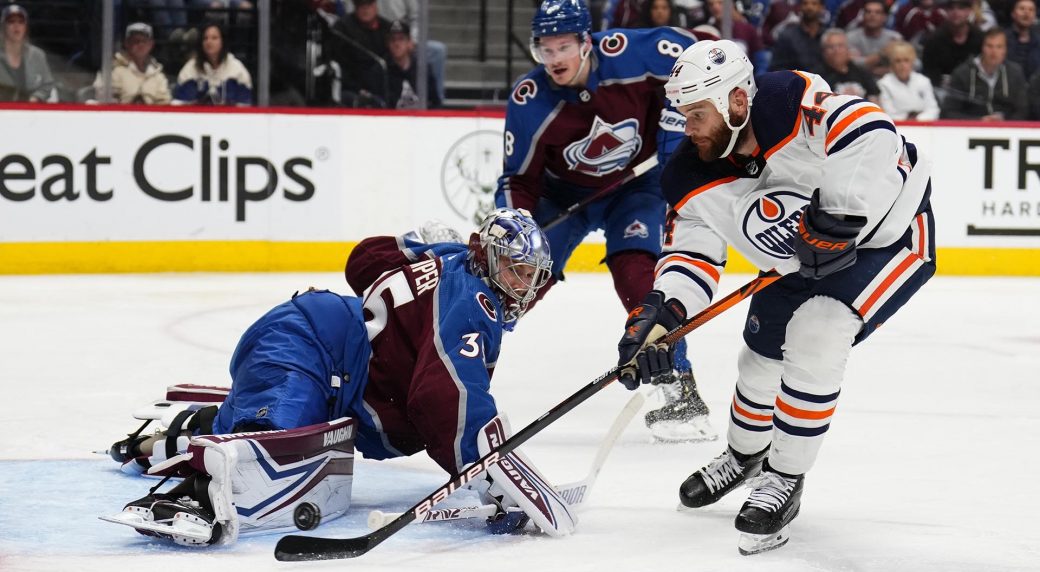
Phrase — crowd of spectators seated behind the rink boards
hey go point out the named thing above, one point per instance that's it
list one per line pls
(920, 60)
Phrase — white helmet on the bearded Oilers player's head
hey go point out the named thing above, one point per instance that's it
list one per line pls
(711, 70)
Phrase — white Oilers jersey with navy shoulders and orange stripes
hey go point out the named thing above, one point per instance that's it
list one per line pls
(809, 138)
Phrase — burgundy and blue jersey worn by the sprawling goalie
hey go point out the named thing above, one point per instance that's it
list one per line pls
(435, 331)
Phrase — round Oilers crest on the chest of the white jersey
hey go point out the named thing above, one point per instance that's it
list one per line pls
(771, 222)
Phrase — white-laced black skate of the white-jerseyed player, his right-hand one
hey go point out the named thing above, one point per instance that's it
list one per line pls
(766, 516)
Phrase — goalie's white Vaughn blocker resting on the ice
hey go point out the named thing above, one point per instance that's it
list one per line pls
(523, 485)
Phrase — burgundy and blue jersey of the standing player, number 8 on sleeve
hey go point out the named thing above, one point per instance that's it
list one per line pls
(586, 138)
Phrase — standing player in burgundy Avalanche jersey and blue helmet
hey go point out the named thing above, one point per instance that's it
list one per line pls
(582, 121)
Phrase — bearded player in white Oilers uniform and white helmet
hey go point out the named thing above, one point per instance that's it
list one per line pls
(818, 186)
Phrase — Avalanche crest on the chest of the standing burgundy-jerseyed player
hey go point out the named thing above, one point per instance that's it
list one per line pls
(608, 148)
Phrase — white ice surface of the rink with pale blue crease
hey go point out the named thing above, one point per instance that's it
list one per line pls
(931, 463)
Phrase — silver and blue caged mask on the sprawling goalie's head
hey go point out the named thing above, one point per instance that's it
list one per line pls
(511, 254)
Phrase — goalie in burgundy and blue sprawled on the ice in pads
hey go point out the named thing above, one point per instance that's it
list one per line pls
(406, 368)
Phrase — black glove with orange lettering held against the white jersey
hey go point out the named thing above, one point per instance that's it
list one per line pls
(826, 244)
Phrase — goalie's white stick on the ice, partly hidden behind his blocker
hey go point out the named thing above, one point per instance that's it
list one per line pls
(577, 495)
